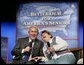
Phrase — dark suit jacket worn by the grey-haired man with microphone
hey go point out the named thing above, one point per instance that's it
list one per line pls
(23, 43)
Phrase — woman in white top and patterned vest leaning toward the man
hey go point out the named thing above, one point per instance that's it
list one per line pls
(56, 50)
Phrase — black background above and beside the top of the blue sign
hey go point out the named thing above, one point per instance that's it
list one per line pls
(9, 8)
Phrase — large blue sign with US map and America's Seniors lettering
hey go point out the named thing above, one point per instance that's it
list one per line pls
(60, 18)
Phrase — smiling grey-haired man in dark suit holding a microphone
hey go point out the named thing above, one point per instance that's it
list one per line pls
(23, 47)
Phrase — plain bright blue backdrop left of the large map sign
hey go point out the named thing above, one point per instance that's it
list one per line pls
(8, 29)
